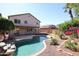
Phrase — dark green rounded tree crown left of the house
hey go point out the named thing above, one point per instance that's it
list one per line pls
(6, 25)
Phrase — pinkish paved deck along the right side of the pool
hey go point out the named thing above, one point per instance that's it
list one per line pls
(53, 50)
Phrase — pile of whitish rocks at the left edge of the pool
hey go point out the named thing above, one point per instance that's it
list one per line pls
(7, 48)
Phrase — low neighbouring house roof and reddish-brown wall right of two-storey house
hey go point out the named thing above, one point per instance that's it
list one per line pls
(48, 29)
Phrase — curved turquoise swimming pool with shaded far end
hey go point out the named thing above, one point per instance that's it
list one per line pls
(28, 48)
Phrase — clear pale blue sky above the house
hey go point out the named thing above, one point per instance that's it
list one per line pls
(47, 13)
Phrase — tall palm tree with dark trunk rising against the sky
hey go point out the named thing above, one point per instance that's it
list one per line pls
(72, 8)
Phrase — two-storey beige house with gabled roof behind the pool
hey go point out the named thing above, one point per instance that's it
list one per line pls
(25, 23)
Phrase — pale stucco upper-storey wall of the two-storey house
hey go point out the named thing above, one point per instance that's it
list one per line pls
(31, 20)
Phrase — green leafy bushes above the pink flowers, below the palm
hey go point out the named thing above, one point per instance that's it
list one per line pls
(64, 26)
